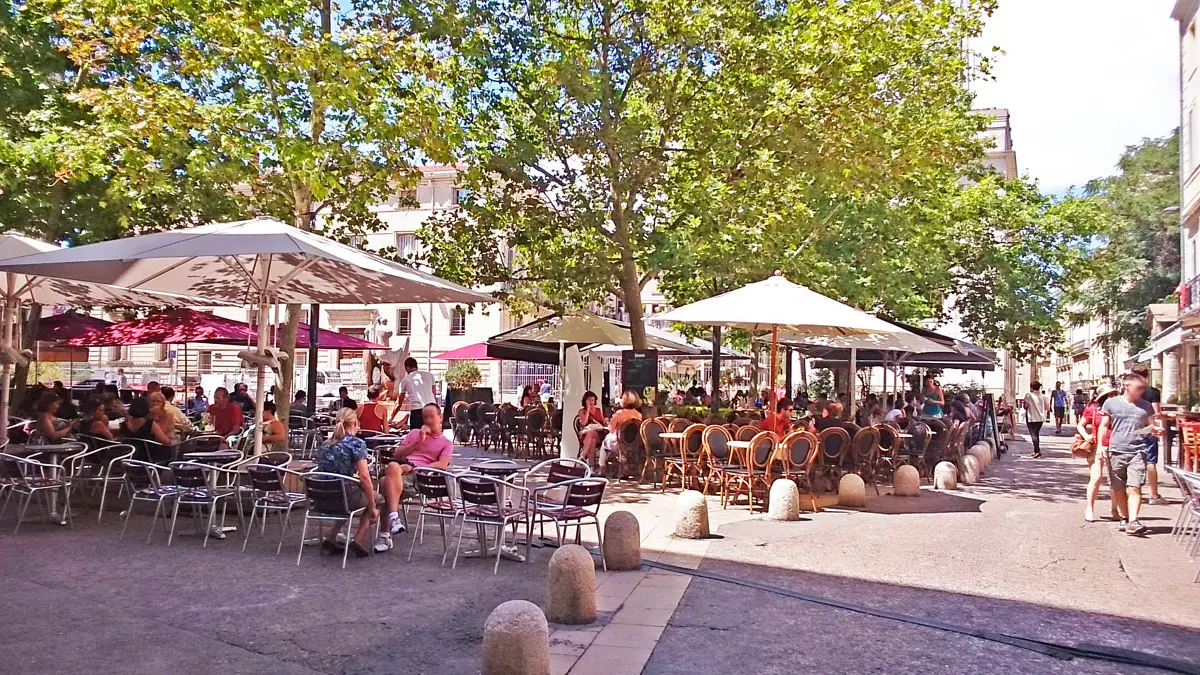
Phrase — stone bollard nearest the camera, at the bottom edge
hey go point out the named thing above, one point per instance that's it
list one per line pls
(517, 641)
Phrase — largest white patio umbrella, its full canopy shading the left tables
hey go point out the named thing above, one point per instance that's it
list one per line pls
(257, 262)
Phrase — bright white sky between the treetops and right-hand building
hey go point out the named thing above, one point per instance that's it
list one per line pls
(1083, 80)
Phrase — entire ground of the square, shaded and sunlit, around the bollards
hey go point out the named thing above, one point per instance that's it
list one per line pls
(1011, 554)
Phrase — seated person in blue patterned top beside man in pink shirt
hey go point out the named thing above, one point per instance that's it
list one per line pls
(346, 455)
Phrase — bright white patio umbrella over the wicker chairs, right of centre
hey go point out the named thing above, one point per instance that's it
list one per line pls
(777, 304)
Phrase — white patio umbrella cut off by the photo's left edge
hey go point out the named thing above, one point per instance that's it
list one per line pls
(17, 289)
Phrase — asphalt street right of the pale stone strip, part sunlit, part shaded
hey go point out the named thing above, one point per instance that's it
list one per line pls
(1011, 554)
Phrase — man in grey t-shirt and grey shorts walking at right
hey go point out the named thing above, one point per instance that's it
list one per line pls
(1131, 421)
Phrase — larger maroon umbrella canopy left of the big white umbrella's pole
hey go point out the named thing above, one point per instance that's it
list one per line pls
(170, 328)
